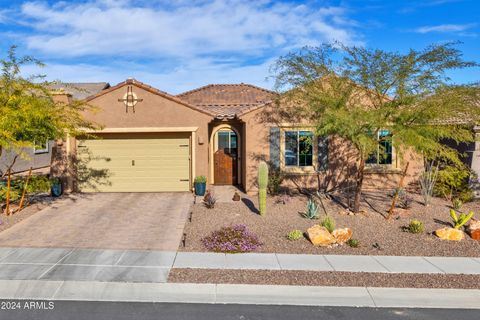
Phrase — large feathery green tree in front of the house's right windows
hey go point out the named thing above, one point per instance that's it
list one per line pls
(362, 95)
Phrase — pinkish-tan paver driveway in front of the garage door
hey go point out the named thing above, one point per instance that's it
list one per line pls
(143, 221)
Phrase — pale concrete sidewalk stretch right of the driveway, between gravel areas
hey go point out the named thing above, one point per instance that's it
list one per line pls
(312, 262)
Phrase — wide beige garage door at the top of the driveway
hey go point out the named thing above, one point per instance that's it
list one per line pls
(134, 163)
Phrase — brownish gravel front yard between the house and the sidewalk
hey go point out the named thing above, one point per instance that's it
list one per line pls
(377, 235)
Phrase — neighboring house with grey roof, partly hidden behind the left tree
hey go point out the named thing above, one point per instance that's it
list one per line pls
(40, 159)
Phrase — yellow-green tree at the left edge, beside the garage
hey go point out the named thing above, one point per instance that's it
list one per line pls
(29, 112)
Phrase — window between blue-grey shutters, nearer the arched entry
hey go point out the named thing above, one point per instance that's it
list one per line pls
(298, 148)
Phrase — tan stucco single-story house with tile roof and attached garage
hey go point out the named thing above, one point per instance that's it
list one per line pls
(152, 141)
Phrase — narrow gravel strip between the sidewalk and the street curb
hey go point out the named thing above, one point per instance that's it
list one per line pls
(313, 278)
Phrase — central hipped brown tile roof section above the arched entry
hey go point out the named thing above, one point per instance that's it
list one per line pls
(228, 99)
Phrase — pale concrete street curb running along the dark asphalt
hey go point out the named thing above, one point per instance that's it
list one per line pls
(240, 294)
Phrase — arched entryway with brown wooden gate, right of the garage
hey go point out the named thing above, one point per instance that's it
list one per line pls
(225, 150)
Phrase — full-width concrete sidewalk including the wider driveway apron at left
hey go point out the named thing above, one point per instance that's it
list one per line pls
(154, 266)
